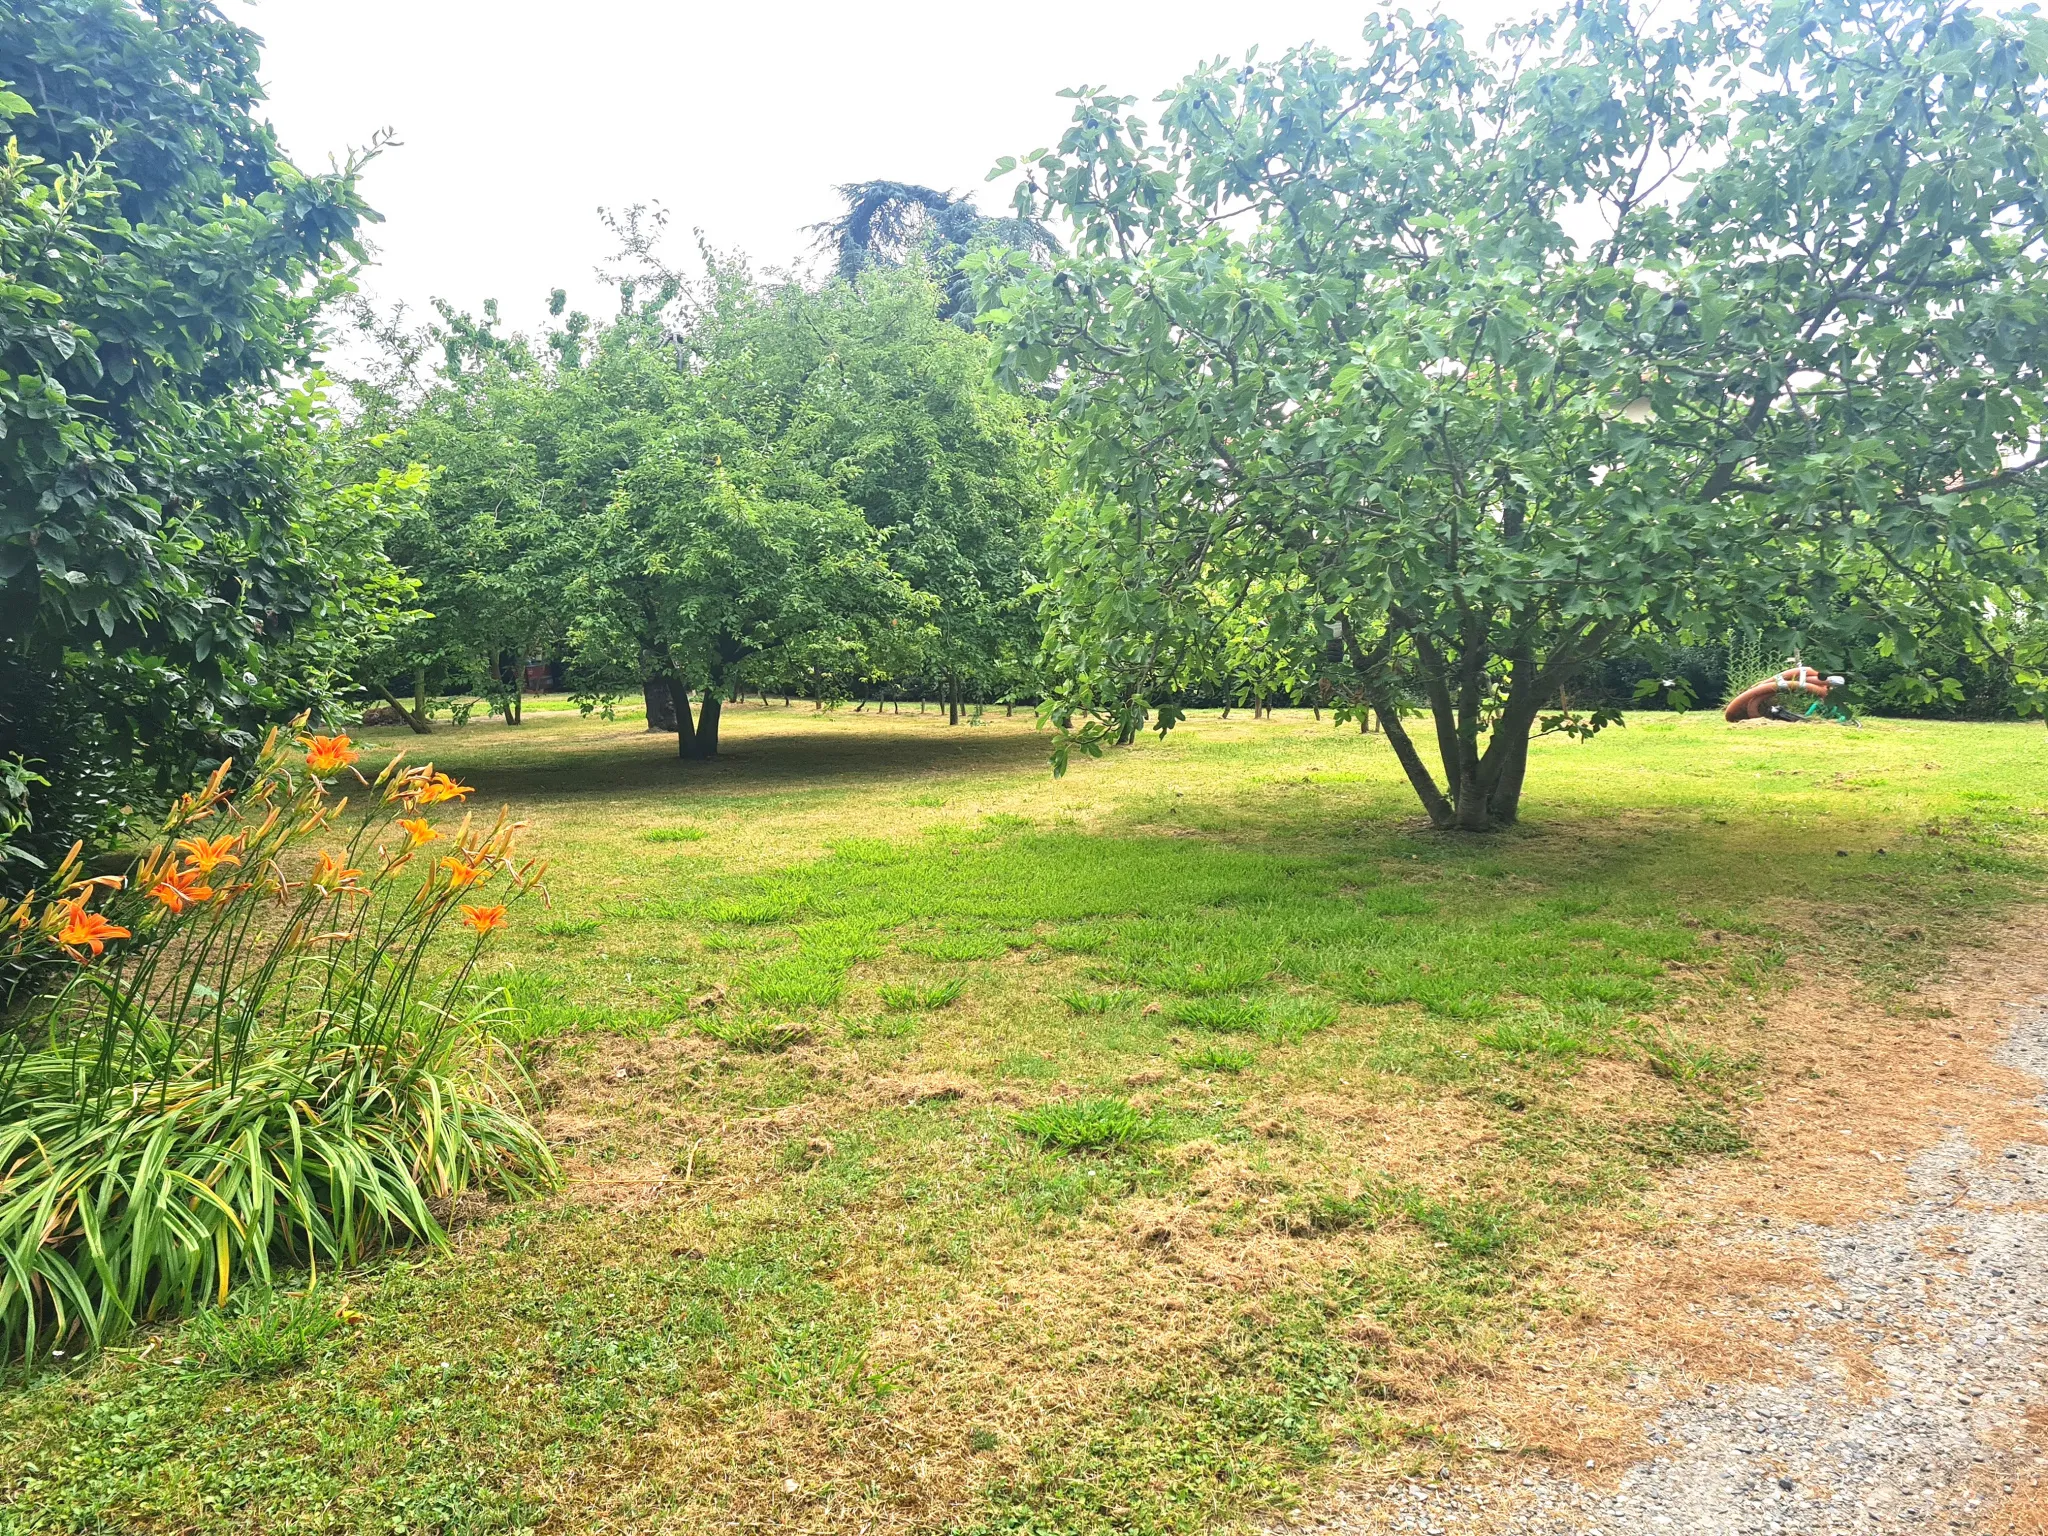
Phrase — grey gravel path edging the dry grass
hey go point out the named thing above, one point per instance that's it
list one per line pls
(1949, 1291)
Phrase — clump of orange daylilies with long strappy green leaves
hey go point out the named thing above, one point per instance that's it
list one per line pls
(237, 1060)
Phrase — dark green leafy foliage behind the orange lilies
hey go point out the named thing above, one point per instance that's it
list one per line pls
(161, 525)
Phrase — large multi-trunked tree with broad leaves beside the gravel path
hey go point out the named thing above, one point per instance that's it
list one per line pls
(1474, 366)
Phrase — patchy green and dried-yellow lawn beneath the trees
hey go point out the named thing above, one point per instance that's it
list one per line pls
(953, 1148)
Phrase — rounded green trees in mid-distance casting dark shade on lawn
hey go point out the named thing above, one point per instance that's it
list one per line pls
(728, 482)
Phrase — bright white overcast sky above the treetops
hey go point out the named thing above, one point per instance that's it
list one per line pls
(521, 120)
